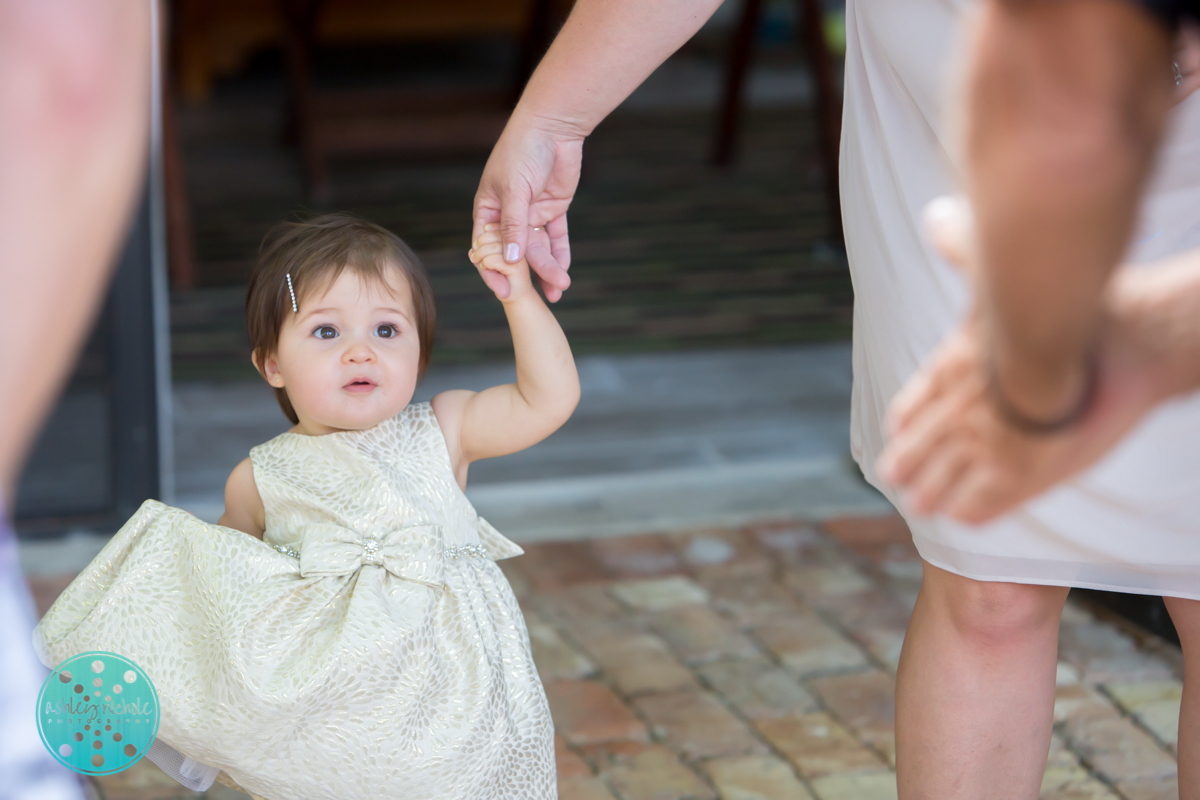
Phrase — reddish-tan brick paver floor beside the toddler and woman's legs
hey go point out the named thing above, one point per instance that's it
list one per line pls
(759, 664)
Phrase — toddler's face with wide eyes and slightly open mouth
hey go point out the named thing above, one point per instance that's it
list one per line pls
(350, 358)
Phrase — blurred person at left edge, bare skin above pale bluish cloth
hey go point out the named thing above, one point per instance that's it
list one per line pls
(75, 95)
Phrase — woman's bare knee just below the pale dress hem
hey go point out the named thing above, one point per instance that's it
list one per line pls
(995, 615)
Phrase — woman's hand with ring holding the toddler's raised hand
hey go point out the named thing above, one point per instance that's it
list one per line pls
(527, 187)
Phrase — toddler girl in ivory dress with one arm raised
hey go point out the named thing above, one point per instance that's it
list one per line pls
(345, 633)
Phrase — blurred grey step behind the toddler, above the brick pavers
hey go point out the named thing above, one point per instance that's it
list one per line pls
(659, 443)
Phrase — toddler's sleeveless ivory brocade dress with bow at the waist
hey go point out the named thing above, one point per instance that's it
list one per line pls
(368, 647)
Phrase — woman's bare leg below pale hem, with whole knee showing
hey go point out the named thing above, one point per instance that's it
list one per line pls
(975, 689)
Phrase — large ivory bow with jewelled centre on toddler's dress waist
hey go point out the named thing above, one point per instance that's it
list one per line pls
(413, 552)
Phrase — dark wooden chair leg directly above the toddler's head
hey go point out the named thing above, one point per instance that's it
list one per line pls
(301, 19)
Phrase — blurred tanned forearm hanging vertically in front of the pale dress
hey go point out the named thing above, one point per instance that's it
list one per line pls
(1066, 104)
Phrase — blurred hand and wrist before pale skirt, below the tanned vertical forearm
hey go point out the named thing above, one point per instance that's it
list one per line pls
(952, 453)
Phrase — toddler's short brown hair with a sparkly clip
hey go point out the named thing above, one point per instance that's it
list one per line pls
(315, 252)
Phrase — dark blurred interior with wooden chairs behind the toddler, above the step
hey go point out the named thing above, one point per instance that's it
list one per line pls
(391, 112)
